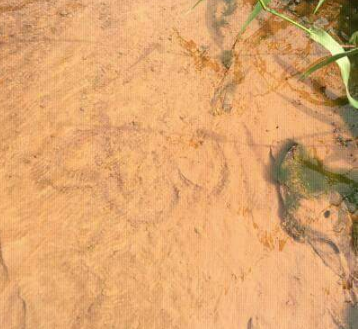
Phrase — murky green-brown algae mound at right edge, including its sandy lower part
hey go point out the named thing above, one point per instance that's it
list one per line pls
(302, 179)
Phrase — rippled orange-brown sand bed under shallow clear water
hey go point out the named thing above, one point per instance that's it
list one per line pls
(129, 198)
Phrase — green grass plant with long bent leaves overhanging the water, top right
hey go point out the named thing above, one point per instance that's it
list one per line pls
(343, 46)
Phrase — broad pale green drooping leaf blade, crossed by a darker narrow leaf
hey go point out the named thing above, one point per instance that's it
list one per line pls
(325, 40)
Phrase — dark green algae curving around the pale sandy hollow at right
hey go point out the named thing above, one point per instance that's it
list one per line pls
(301, 176)
